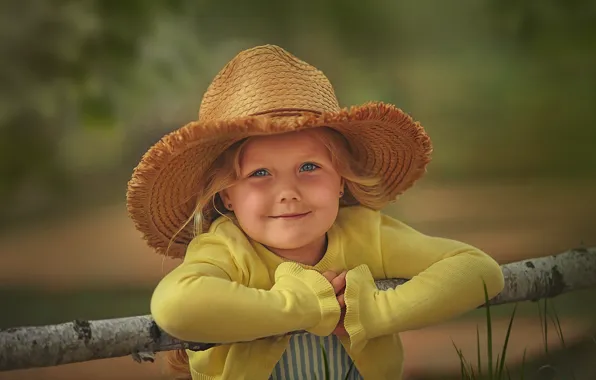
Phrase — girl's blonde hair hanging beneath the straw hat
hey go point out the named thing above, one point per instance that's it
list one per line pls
(225, 171)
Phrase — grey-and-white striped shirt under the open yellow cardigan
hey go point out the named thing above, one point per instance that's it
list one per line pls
(303, 359)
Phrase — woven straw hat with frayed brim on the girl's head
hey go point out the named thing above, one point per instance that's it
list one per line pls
(265, 90)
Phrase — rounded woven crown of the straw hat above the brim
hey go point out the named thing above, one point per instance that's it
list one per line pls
(266, 79)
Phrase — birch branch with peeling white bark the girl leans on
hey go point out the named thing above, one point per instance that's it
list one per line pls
(78, 341)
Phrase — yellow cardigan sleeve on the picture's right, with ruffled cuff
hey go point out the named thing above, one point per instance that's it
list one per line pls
(446, 280)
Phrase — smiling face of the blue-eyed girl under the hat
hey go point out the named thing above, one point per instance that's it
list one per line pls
(288, 194)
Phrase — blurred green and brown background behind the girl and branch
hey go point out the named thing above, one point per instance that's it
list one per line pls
(506, 89)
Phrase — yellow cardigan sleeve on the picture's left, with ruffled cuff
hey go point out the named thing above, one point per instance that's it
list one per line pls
(204, 300)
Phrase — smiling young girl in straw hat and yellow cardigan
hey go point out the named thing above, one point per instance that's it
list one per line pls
(272, 199)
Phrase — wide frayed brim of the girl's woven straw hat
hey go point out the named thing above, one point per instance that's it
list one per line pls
(161, 194)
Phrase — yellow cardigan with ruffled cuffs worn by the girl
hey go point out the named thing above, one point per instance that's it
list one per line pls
(232, 289)
